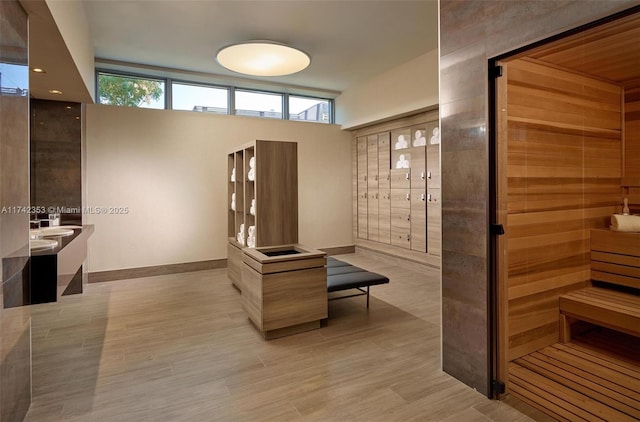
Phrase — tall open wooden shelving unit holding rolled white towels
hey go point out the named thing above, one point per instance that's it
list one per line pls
(262, 198)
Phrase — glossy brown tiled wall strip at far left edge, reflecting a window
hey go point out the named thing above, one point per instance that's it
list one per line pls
(15, 318)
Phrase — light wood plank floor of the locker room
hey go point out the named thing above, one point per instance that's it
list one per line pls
(179, 347)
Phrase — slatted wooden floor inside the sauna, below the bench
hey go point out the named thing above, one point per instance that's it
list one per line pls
(596, 377)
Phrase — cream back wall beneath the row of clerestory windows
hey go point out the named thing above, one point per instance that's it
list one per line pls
(169, 168)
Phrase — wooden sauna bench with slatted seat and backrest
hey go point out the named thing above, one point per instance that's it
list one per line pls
(613, 299)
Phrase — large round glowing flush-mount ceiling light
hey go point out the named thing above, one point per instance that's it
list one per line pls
(263, 58)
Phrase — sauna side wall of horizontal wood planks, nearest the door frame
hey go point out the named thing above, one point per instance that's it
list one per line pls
(563, 178)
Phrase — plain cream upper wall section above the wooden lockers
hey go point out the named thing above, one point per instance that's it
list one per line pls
(403, 89)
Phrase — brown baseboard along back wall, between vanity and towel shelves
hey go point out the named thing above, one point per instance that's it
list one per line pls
(100, 276)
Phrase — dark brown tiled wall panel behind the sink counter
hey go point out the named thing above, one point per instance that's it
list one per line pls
(56, 155)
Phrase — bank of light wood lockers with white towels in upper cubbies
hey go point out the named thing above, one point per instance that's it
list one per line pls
(397, 209)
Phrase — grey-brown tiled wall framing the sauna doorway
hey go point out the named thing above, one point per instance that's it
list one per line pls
(471, 33)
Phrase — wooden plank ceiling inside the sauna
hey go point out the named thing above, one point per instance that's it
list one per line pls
(610, 51)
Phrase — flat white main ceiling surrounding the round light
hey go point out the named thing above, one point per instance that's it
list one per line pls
(348, 41)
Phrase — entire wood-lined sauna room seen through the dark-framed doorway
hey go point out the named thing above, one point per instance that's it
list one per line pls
(567, 287)
